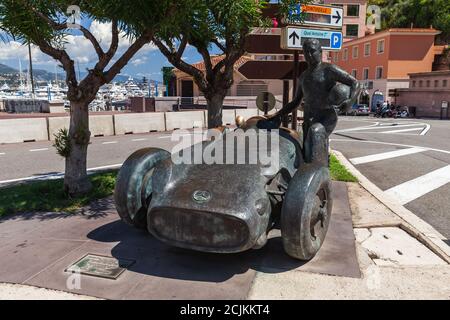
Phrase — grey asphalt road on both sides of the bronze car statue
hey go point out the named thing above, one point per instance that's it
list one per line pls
(409, 159)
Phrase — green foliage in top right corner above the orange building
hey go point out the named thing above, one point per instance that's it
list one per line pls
(420, 13)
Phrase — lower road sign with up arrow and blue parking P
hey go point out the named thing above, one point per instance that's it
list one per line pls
(292, 38)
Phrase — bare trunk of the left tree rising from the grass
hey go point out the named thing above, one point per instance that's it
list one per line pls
(76, 181)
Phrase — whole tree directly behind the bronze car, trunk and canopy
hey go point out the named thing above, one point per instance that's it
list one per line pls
(224, 24)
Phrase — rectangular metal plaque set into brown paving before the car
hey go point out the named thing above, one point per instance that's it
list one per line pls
(100, 266)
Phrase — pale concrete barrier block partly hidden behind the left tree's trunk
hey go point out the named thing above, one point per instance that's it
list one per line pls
(98, 125)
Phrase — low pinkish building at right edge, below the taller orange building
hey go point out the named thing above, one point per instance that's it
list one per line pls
(429, 93)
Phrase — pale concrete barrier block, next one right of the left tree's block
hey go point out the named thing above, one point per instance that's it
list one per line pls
(139, 123)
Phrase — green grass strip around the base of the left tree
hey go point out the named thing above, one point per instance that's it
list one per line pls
(49, 196)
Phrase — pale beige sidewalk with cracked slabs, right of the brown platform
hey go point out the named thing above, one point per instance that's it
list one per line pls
(394, 265)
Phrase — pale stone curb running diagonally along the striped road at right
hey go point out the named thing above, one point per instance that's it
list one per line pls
(411, 223)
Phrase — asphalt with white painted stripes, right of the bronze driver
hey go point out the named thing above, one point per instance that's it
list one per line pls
(407, 159)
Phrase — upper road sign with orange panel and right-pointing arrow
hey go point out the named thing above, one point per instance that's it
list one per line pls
(316, 15)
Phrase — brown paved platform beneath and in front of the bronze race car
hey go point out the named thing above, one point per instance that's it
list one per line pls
(41, 246)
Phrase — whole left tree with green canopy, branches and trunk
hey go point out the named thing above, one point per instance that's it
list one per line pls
(44, 23)
